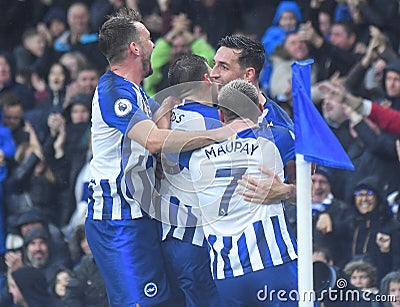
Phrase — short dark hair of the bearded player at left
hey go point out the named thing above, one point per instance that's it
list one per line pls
(117, 32)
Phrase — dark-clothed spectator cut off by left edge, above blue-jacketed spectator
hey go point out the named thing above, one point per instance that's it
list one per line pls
(8, 83)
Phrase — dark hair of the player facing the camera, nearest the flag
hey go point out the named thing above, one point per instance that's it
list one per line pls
(252, 52)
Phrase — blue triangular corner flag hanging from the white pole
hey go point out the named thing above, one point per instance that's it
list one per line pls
(314, 139)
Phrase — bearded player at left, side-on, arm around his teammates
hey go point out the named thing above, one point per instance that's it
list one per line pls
(124, 240)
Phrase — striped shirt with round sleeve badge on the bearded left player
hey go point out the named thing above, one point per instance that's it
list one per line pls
(121, 171)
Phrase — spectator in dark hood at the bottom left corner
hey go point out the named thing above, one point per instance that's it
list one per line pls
(29, 288)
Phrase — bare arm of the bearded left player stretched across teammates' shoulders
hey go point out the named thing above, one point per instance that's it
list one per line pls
(147, 134)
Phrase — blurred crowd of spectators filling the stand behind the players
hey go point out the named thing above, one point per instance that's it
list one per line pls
(49, 67)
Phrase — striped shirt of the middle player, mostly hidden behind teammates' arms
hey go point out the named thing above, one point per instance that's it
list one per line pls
(181, 217)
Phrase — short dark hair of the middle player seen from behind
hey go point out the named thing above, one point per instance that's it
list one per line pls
(187, 68)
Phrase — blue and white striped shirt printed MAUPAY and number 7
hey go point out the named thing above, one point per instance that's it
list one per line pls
(243, 237)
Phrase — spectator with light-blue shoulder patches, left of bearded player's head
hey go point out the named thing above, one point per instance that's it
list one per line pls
(79, 36)
